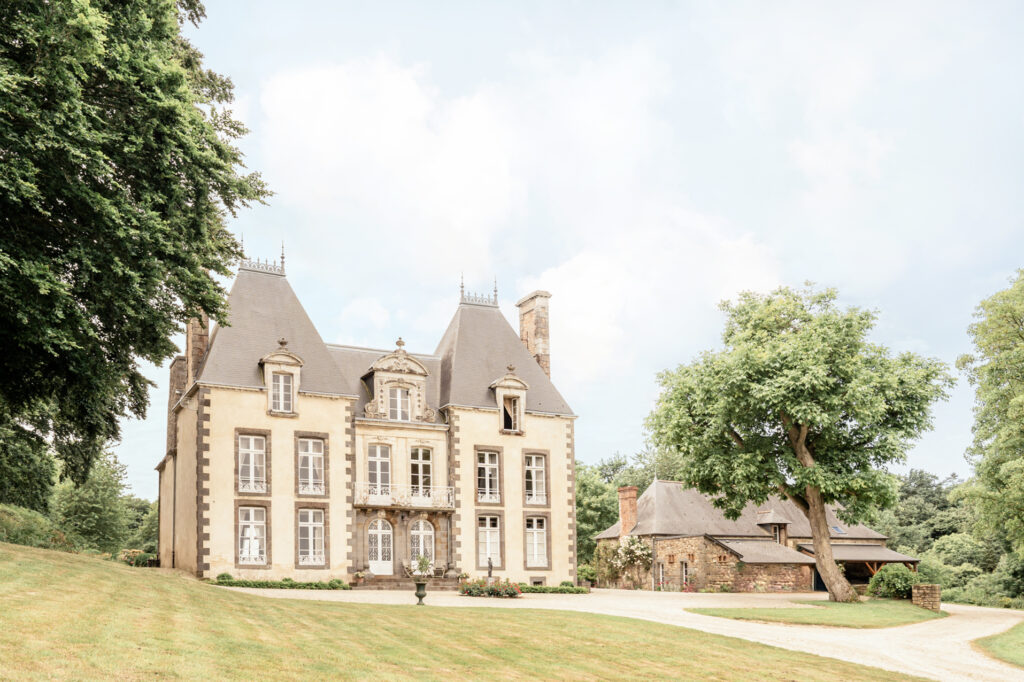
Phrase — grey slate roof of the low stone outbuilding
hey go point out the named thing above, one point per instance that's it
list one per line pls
(670, 508)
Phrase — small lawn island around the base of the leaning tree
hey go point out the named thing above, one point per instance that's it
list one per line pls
(872, 614)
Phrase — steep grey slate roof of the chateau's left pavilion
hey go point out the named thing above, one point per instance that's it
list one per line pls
(263, 309)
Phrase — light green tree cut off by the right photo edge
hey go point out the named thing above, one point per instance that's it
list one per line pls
(997, 371)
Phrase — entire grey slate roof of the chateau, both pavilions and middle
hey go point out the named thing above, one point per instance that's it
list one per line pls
(474, 353)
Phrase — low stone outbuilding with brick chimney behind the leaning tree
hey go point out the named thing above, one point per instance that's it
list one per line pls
(767, 549)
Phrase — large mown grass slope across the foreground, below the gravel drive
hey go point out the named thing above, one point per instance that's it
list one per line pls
(71, 616)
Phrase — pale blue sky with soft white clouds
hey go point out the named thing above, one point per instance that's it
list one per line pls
(643, 162)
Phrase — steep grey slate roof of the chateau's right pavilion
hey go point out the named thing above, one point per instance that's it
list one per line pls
(476, 351)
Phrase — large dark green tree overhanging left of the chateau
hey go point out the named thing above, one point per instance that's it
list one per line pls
(118, 169)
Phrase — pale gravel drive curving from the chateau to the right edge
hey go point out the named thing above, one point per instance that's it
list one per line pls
(941, 650)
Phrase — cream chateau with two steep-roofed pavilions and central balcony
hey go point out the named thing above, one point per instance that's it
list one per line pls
(288, 457)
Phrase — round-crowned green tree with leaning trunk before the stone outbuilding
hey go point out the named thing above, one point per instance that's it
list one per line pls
(798, 404)
